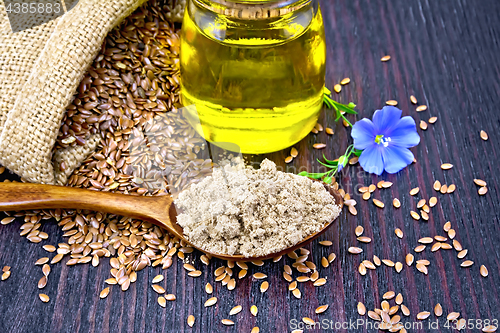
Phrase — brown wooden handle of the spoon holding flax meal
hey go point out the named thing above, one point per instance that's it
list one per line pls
(21, 196)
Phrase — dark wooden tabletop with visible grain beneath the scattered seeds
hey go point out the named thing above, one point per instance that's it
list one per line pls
(446, 53)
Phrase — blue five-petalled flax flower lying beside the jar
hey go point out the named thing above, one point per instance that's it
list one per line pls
(385, 140)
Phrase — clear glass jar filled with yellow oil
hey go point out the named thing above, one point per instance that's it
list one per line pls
(254, 69)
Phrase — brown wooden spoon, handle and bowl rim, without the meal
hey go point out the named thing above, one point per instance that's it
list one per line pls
(158, 210)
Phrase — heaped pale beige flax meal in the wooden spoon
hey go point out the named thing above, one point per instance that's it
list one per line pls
(241, 210)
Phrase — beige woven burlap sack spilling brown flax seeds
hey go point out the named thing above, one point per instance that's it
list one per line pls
(40, 69)
